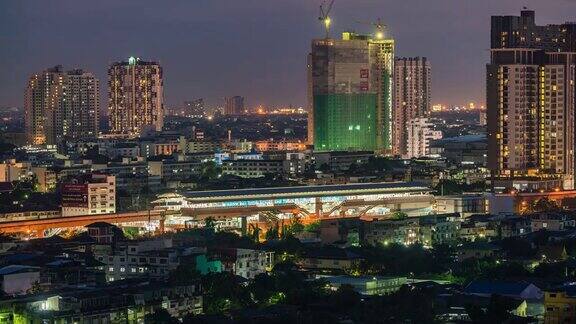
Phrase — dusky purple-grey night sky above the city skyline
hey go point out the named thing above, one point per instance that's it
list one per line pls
(255, 48)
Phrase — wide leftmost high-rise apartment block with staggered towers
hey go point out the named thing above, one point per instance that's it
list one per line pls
(60, 105)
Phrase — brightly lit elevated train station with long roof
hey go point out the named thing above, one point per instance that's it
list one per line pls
(359, 199)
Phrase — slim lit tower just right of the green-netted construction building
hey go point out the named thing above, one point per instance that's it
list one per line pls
(412, 92)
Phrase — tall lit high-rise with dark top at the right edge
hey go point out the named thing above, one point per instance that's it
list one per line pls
(530, 102)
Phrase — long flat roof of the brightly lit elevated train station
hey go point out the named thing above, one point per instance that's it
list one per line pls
(307, 191)
